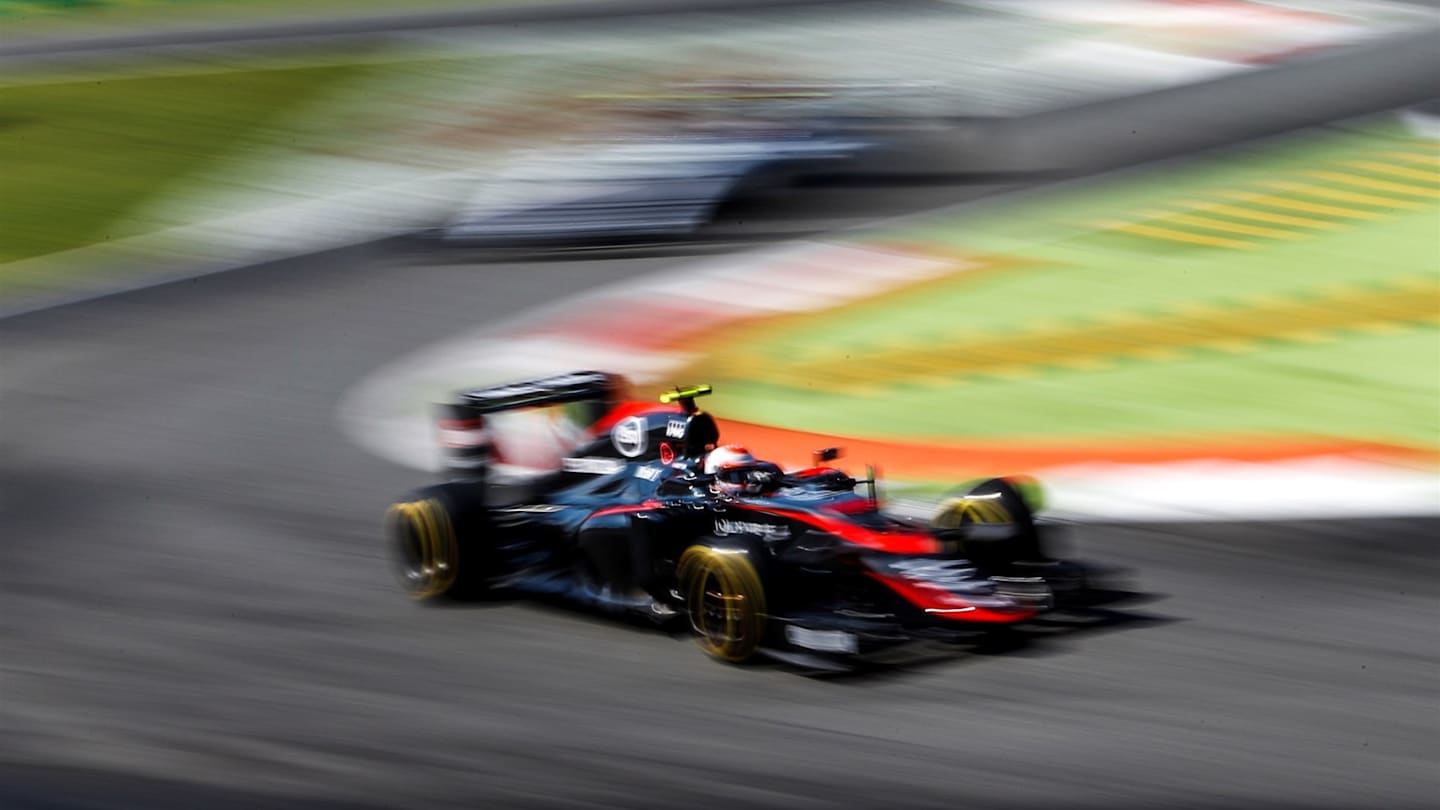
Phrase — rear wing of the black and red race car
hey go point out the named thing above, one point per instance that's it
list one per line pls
(467, 430)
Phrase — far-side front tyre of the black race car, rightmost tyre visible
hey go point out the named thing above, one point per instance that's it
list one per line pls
(991, 502)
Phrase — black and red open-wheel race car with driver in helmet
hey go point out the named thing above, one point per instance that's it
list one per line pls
(562, 486)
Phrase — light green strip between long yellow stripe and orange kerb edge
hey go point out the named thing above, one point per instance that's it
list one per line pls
(1369, 388)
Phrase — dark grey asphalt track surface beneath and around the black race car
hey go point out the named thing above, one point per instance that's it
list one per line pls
(197, 612)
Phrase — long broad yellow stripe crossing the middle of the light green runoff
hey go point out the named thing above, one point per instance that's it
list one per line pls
(1125, 337)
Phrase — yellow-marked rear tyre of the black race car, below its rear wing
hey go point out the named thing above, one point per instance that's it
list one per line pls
(434, 546)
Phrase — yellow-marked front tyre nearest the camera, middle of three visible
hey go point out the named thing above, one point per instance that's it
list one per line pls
(725, 602)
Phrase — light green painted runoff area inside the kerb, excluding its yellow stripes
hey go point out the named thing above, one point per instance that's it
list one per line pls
(1379, 384)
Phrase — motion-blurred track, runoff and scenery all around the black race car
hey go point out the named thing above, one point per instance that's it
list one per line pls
(1179, 259)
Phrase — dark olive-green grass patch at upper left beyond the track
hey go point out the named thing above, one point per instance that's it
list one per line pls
(80, 158)
